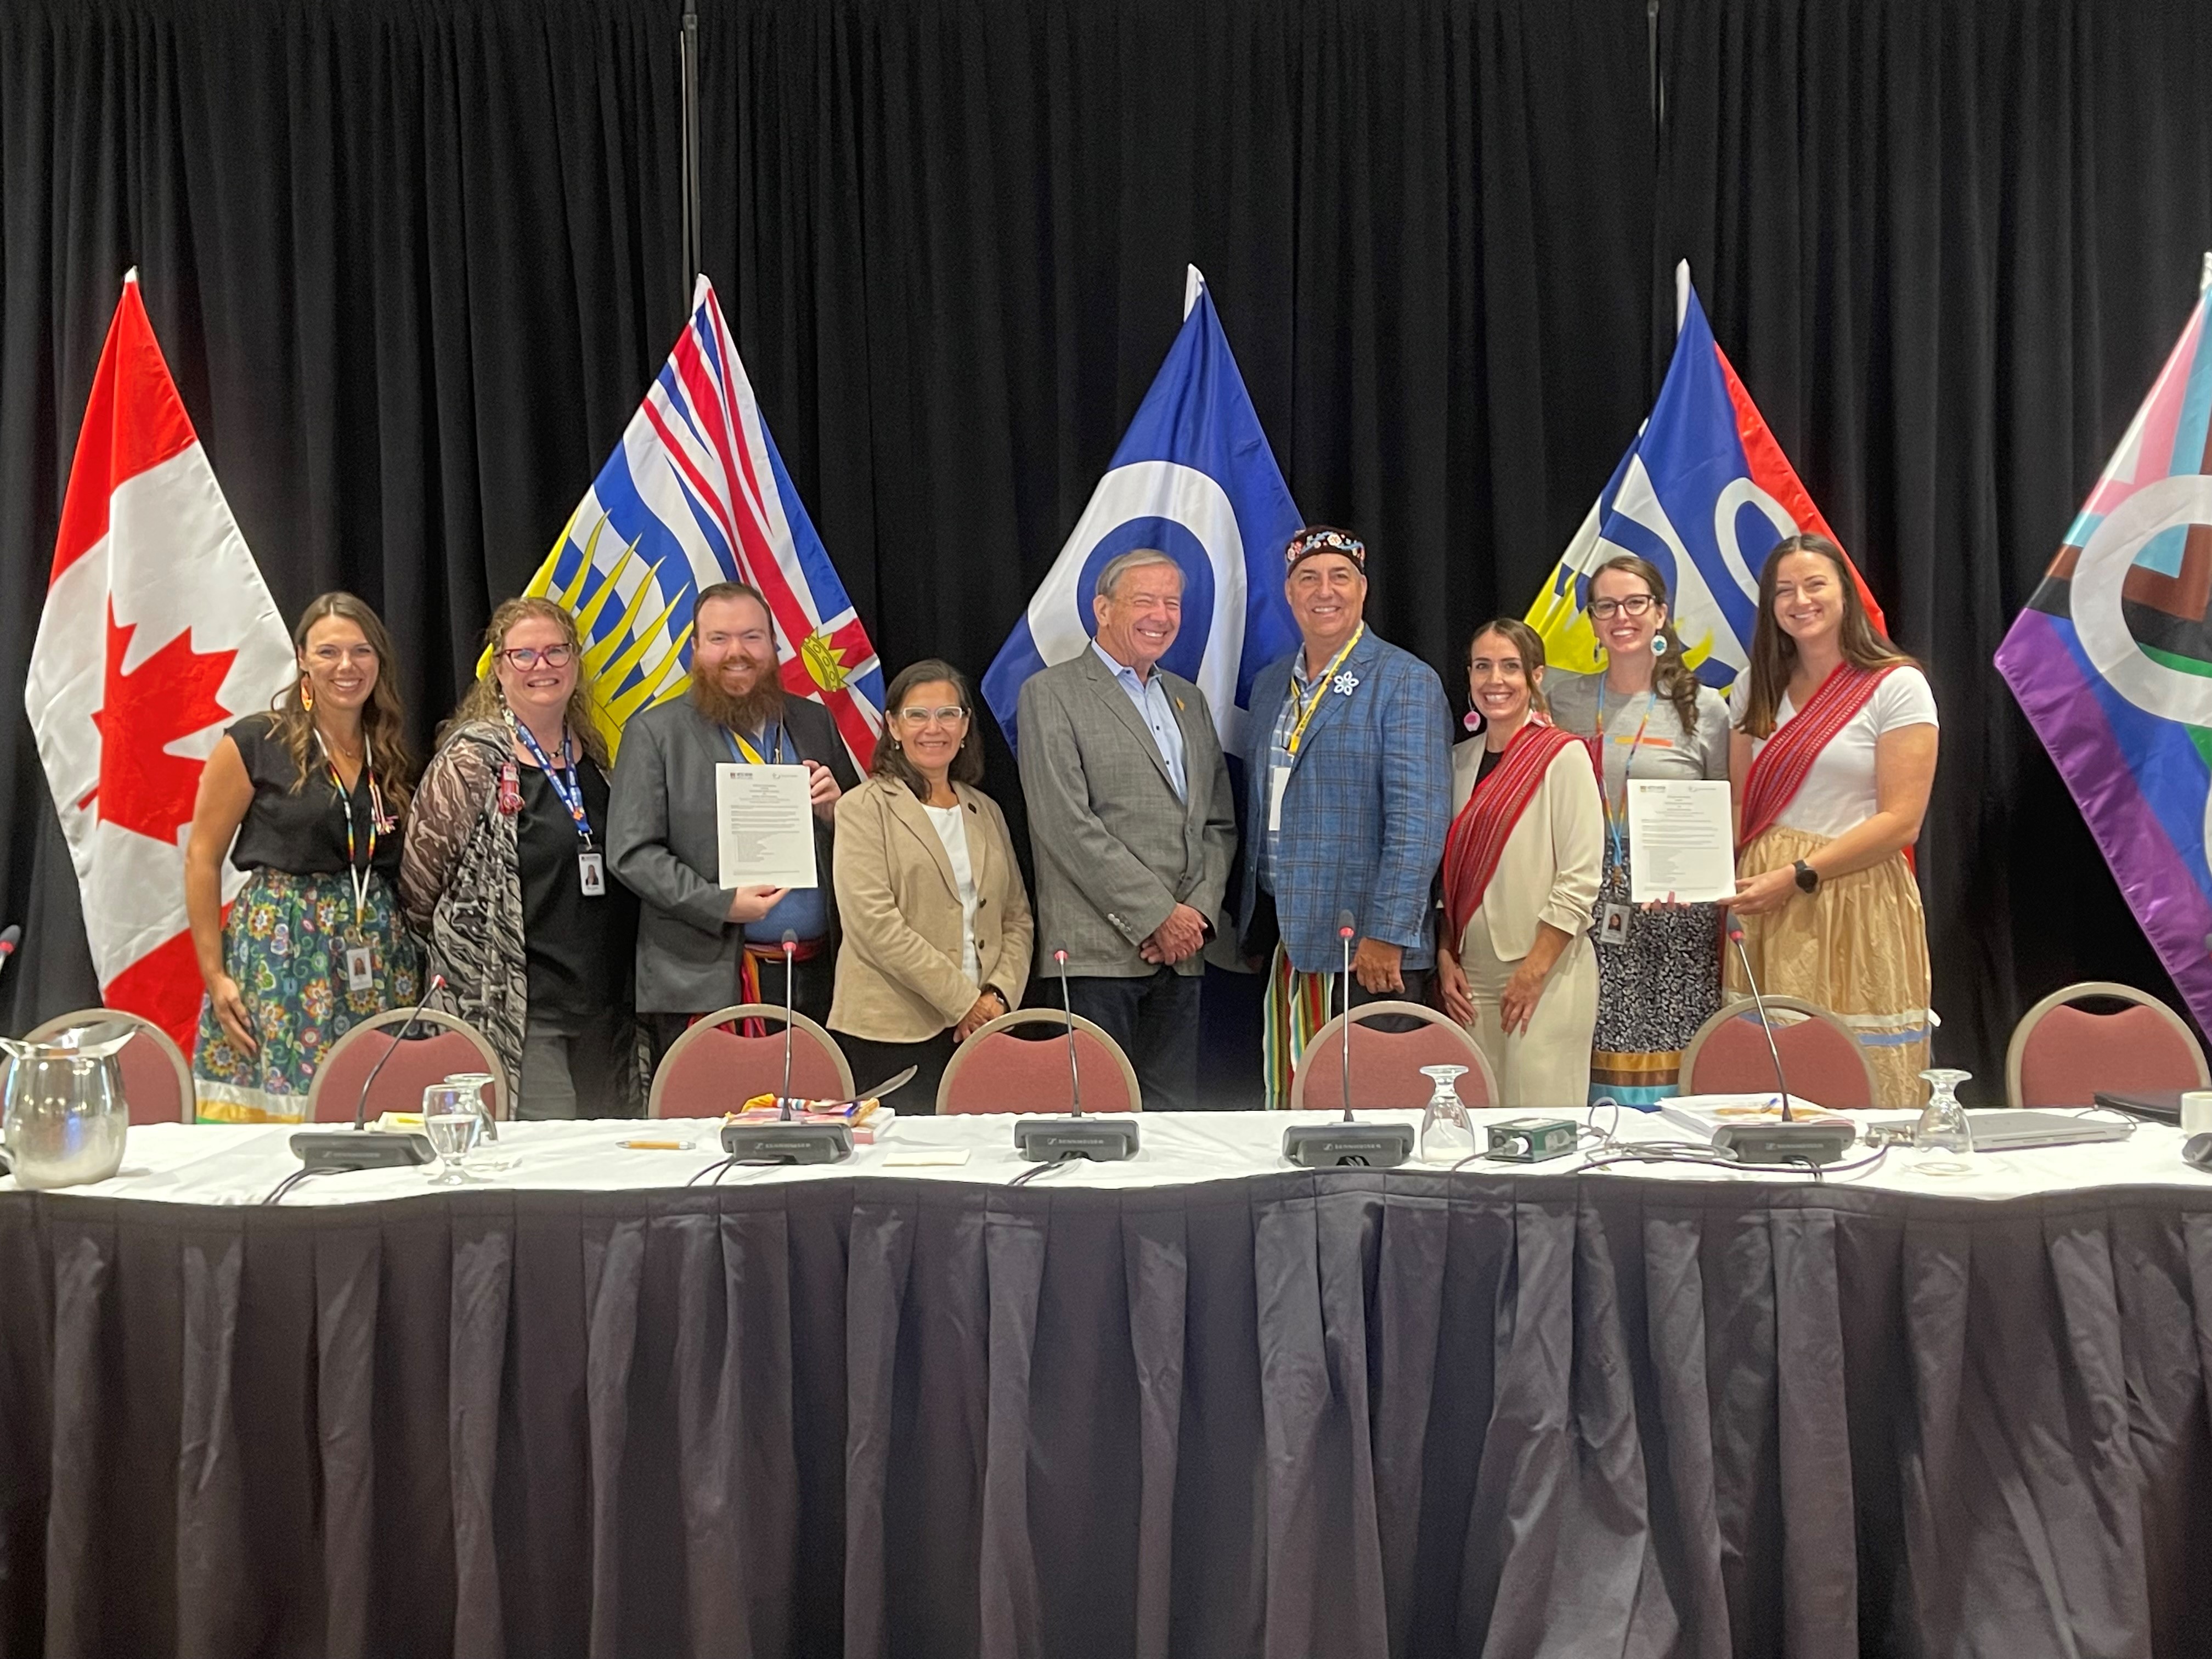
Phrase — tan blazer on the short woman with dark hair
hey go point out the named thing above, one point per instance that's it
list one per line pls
(899, 966)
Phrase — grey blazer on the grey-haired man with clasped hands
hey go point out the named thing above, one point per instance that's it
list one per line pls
(1116, 851)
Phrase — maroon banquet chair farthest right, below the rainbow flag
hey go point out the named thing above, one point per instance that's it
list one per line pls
(2063, 1056)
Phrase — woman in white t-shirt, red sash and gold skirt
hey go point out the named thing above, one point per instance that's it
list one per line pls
(1833, 758)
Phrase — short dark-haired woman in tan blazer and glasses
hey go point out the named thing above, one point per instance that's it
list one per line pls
(928, 893)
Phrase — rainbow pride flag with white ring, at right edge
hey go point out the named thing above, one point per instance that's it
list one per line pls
(2114, 662)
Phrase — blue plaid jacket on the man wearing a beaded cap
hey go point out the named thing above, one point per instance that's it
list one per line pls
(1366, 808)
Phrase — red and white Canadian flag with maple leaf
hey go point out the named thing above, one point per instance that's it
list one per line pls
(158, 634)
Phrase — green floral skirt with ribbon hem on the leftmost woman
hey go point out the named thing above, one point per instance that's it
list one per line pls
(286, 943)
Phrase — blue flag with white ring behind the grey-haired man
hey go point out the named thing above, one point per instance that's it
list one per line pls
(1198, 481)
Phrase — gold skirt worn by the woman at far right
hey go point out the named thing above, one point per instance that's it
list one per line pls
(1859, 948)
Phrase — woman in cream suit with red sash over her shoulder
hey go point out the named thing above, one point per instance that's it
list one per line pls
(1521, 873)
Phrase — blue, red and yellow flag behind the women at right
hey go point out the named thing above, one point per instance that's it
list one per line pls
(1704, 492)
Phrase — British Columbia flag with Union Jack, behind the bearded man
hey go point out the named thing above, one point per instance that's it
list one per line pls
(696, 494)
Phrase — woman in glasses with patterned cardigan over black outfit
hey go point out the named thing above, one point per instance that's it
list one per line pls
(508, 875)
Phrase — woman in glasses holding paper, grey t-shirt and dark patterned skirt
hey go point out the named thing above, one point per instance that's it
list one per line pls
(1647, 718)
